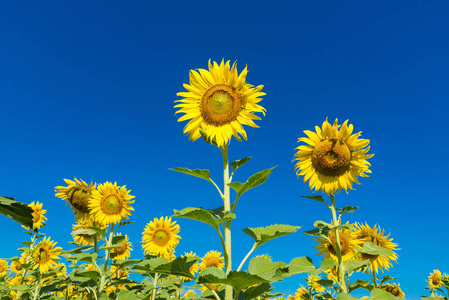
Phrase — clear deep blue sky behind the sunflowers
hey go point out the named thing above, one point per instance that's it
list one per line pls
(87, 90)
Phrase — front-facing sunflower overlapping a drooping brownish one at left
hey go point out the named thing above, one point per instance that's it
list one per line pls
(111, 203)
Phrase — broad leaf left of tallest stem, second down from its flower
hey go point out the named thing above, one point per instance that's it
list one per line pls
(204, 215)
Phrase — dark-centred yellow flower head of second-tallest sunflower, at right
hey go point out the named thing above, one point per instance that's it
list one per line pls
(333, 158)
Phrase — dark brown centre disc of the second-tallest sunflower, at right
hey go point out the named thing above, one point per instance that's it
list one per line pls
(331, 157)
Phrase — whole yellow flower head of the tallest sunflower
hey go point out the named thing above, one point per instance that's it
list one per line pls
(219, 102)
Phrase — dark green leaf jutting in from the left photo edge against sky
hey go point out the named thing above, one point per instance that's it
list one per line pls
(18, 211)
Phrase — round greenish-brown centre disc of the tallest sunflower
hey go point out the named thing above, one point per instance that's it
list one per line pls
(220, 105)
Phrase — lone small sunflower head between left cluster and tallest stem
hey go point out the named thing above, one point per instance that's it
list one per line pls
(160, 237)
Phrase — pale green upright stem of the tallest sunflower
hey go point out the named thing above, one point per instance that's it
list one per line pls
(227, 224)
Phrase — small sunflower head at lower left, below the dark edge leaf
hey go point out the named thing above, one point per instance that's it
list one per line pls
(44, 255)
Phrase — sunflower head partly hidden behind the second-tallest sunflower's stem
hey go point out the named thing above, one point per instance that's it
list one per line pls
(348, 243)
